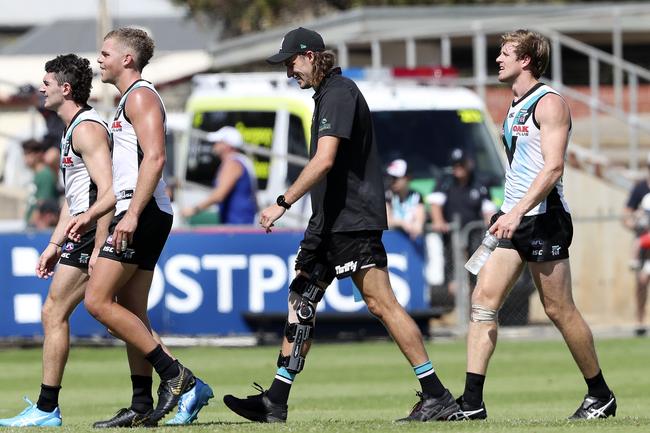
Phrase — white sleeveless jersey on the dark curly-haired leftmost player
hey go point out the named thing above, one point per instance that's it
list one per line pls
(80, 190)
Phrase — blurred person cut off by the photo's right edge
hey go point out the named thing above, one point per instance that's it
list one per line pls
(636, 217)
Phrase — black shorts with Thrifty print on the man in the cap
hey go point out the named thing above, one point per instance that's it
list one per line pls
(342, 253)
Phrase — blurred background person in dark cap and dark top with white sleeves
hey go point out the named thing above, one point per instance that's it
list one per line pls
(464, 194)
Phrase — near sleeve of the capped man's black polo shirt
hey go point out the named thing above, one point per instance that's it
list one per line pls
(336, 113)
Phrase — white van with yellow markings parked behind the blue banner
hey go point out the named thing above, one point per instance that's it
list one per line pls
(419, 123)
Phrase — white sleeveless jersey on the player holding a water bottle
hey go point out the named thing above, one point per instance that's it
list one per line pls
(522, 140)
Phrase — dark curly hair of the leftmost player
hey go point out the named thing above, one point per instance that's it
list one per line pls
(74, 70)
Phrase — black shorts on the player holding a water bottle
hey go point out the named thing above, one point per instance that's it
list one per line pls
(541, 238)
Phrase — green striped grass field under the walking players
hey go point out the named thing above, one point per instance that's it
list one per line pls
(356, 387)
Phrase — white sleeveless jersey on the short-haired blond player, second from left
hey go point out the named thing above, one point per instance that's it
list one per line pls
(127, 156)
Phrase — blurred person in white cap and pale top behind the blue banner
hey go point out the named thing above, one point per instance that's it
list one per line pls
(404, 207)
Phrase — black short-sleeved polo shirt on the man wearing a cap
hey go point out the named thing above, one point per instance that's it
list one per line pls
(351, 196)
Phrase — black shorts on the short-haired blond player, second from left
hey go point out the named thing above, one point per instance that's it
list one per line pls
(149, 238)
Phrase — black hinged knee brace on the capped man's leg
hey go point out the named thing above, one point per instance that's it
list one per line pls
(299, 333)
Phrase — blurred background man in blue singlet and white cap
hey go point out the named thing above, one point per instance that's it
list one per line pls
(235, 185)
